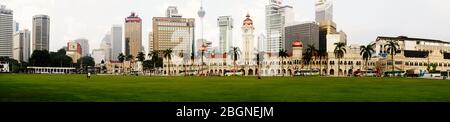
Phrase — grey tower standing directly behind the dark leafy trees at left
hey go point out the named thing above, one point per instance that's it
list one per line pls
(41, 32)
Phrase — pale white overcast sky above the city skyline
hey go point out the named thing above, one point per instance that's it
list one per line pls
(362, 20)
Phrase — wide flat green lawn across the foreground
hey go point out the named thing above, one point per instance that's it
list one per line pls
(76, 88)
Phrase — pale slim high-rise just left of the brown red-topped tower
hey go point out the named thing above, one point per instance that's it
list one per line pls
(116, 42)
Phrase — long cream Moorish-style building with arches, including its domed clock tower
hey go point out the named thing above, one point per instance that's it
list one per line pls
(414, 54)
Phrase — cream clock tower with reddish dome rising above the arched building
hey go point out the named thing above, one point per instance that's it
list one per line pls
(248, 36)
